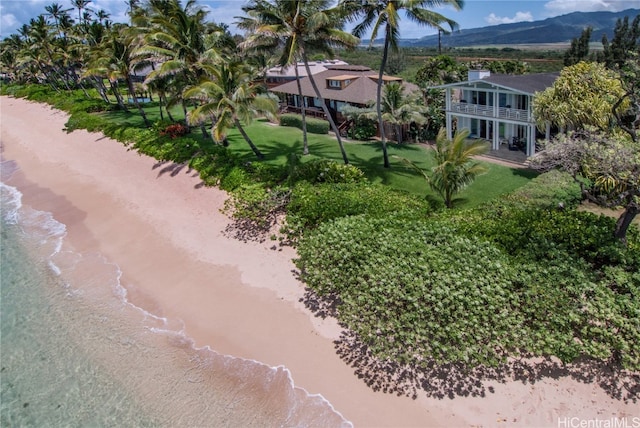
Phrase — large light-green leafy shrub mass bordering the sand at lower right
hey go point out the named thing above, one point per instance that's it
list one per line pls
(420, 291)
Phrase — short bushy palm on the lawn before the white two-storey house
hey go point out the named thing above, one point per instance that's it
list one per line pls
(455, 168)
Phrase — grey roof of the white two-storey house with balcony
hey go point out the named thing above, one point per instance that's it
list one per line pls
(523, 83)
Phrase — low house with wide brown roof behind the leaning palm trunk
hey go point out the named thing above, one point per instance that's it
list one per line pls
(339, 85)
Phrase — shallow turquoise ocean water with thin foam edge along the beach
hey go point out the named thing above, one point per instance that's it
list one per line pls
(75, 353)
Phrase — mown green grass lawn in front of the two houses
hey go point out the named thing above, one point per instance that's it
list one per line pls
(278, 143)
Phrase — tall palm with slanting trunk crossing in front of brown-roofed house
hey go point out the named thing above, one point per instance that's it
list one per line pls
(295, 28)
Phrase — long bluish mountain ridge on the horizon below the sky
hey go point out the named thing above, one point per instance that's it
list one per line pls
(558, 29)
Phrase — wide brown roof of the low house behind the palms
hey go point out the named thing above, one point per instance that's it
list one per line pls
(361, 90)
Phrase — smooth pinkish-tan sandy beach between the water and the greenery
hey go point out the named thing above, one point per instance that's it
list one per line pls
(165, 231)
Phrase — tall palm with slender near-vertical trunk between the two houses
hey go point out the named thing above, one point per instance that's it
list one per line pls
(377, 13)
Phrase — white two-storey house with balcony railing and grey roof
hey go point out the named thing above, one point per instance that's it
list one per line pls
(497, 108)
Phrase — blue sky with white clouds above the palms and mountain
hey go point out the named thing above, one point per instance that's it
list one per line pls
(475, 13)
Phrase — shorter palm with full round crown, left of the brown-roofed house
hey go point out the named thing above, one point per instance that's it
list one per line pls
(231, 95)
